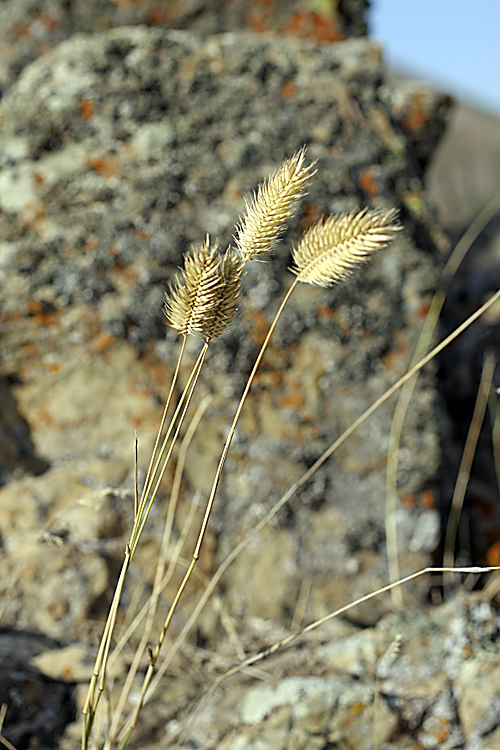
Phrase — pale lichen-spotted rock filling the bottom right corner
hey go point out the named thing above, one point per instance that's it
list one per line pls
(424, 691)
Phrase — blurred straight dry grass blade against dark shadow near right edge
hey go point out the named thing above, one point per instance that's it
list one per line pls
(457, 502)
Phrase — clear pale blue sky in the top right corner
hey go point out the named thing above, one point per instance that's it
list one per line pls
(454, 44)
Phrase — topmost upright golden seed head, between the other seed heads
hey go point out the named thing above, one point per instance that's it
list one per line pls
(270, 208)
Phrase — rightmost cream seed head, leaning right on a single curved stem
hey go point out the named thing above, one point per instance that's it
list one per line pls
(329, 251)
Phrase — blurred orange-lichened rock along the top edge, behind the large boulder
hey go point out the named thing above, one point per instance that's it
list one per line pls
(28, 29)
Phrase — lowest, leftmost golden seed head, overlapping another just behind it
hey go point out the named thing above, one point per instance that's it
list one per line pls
(191, 298)
